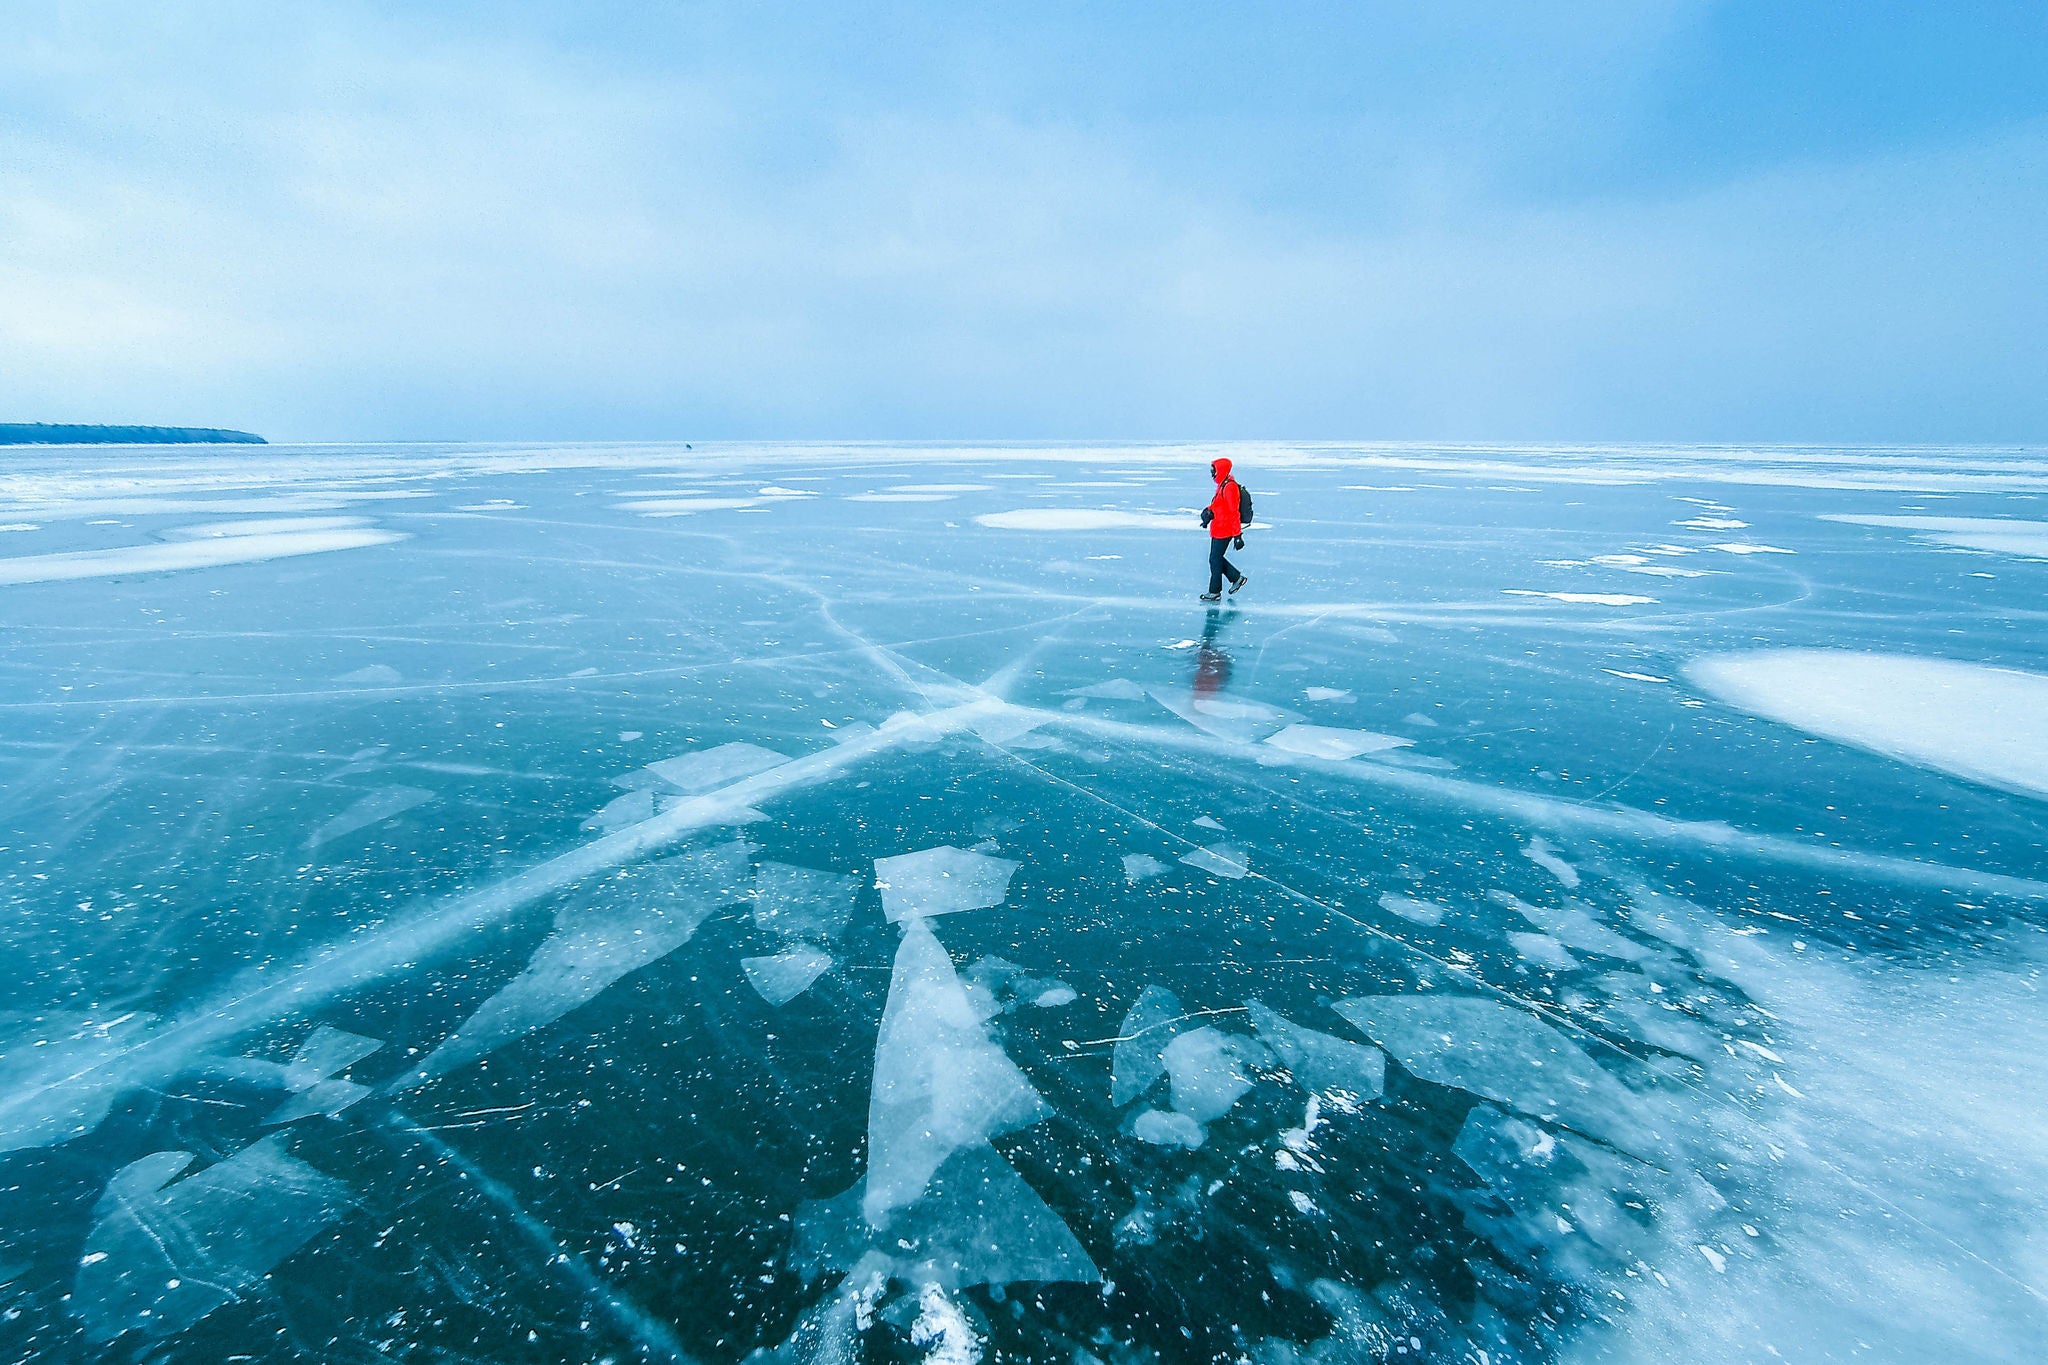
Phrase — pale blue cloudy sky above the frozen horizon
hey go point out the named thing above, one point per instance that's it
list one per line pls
(1297, 220)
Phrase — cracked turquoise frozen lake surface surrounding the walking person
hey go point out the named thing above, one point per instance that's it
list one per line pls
(634, 904)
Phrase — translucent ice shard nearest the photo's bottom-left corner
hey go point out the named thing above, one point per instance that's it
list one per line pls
(161, 1258)
